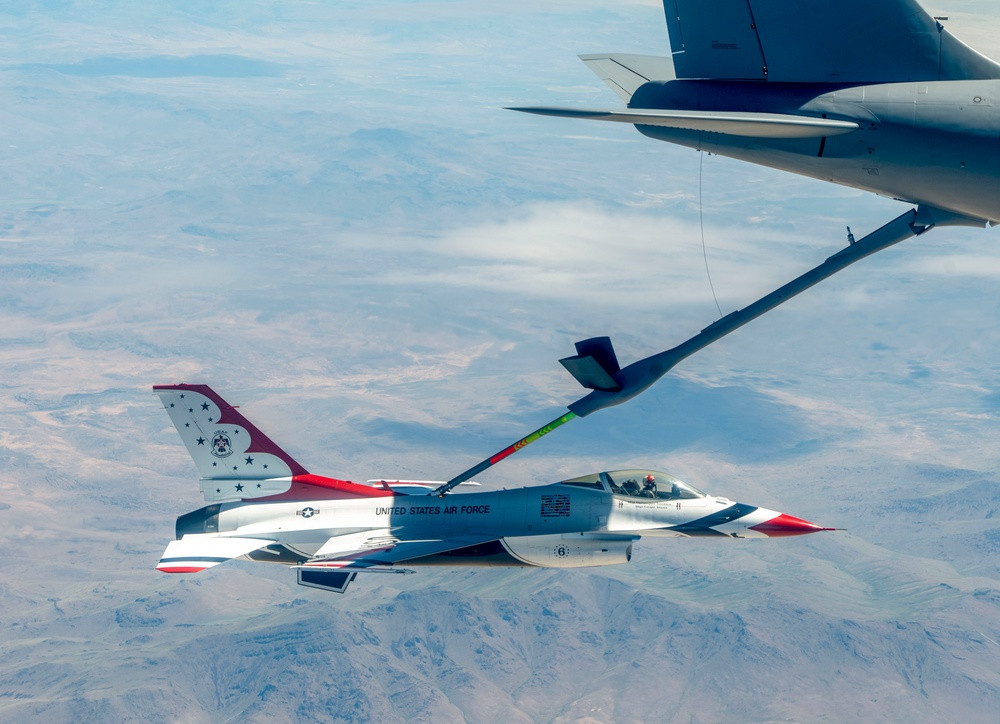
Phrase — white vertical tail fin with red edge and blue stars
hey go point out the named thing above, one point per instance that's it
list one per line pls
(236, 460)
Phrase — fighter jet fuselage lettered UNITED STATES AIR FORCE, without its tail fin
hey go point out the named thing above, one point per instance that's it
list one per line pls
(536, 525)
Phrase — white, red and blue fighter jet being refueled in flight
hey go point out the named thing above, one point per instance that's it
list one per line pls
(264, 506)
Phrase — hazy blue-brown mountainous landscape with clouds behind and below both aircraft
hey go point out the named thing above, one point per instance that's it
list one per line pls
(323, 211)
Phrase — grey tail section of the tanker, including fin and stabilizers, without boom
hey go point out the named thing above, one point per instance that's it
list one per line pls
(874, 95)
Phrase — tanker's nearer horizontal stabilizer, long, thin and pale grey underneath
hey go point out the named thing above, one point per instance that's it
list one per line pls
(733, 123)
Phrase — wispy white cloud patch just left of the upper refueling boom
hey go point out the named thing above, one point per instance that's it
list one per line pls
(617, 258)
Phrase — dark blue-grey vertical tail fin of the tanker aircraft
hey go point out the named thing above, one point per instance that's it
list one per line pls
(817, 41)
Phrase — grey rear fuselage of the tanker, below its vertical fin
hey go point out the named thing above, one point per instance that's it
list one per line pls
(934, 143)
